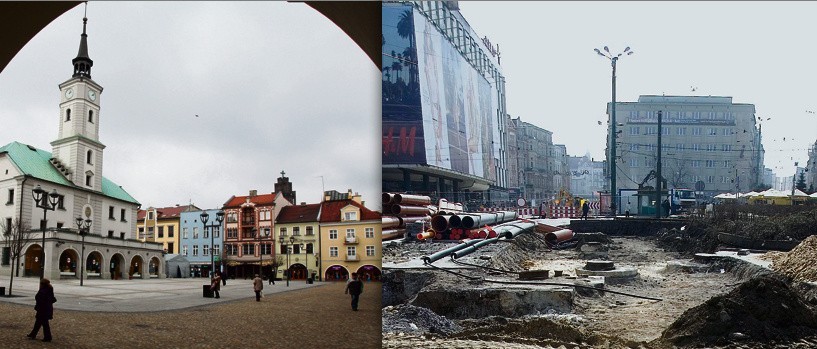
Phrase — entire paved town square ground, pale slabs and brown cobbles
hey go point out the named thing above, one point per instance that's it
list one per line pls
(171, 313)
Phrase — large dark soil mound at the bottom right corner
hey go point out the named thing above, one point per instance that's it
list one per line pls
(760, 310)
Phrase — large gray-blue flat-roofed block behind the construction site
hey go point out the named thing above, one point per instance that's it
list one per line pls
(705, 140)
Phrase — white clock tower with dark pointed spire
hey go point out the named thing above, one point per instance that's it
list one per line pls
(77, 152)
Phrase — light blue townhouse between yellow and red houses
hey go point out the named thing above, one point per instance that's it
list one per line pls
(201, 245)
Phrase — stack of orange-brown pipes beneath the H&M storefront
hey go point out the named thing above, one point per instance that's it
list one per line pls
(400, 209)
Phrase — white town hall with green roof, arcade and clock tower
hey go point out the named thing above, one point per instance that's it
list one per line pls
(71, 178)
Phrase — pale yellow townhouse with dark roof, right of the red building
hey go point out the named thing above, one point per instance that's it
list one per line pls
(298, 226)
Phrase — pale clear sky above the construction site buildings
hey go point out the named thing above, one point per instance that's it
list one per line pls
(759, 53)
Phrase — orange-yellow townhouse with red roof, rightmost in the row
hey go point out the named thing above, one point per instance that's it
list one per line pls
(350, 238)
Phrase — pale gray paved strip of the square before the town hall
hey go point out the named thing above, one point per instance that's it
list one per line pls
(144, 295)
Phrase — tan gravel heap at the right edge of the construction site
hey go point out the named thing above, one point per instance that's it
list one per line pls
(798, 263)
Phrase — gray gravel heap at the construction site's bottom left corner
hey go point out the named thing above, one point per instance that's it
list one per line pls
(416, 320)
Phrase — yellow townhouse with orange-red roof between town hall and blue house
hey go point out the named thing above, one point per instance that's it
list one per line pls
(161, 225)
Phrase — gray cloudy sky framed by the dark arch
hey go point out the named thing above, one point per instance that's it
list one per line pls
(277, 86)
